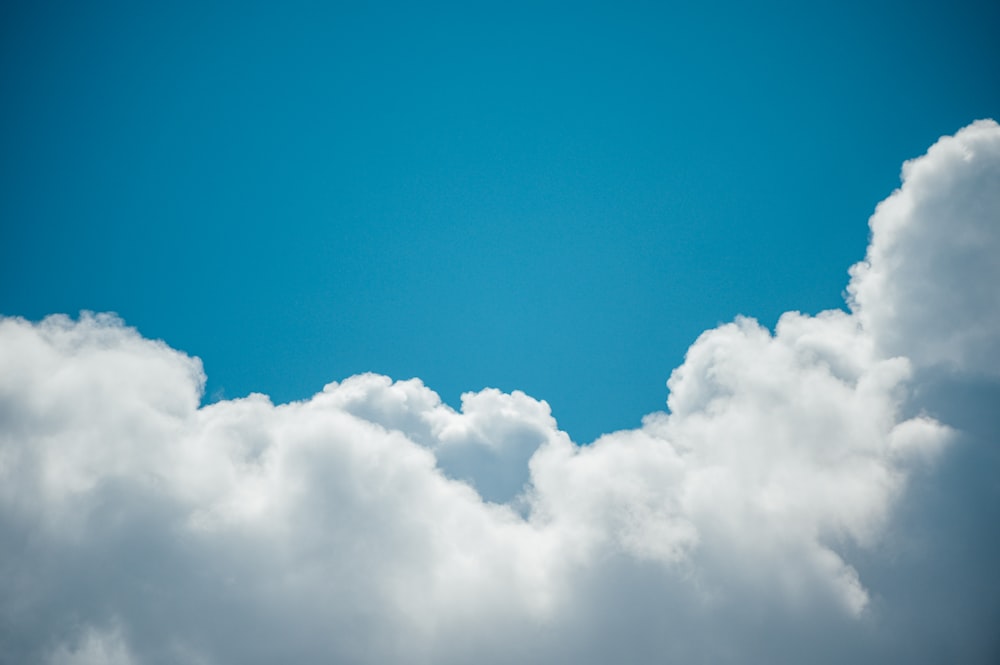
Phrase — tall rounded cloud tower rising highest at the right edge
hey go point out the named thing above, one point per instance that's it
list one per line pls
(928, 287)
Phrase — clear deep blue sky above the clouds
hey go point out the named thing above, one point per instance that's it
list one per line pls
(551, 197)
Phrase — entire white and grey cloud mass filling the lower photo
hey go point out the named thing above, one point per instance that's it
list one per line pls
(825, 492)
